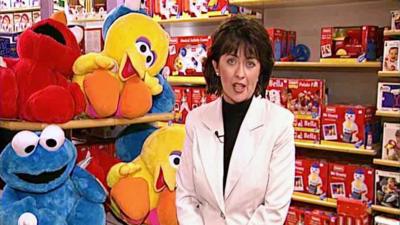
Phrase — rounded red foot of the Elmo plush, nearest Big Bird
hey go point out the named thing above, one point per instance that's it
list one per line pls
(53, 104)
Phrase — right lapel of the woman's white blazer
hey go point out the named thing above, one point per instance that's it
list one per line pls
(245, 145)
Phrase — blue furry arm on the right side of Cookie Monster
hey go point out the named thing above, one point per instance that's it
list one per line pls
(88, 186)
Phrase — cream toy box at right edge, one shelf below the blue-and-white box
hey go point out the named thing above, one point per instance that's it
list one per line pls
(391, 141)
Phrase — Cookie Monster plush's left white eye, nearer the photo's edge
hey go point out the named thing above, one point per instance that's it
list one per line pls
(24, 143)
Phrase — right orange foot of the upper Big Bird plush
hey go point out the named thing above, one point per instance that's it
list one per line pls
(136, 99)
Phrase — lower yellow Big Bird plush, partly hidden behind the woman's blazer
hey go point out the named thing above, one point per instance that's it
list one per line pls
(142, 191)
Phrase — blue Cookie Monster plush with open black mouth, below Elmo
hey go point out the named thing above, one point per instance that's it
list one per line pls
(43, 185)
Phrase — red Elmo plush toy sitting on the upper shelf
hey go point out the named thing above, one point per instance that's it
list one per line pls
(36, 86)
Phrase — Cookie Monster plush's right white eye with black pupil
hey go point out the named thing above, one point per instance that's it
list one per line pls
(52, 138)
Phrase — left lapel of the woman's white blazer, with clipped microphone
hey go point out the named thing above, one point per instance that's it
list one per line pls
(212, 149)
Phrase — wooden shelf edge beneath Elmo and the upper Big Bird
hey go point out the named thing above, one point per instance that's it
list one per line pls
(87, 123)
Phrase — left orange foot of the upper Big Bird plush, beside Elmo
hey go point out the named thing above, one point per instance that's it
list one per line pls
(102, 92)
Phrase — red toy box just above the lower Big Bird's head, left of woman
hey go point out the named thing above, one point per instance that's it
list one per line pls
(183, 101)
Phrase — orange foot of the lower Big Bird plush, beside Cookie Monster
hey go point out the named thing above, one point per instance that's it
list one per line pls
(131, 196)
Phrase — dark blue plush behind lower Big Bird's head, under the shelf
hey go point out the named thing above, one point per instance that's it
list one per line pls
(129, 143)
